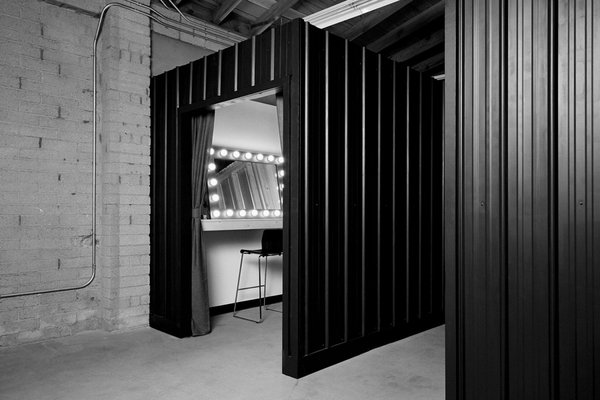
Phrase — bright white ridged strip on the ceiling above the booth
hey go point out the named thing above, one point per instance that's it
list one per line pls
(344, 11)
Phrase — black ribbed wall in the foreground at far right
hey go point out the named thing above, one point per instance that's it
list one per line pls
(522, 202)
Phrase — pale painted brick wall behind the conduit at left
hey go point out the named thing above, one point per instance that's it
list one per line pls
(45, 170)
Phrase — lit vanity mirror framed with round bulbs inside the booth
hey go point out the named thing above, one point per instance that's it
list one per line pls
(244, 184)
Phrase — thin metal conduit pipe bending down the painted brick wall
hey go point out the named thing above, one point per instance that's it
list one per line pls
(160, 19)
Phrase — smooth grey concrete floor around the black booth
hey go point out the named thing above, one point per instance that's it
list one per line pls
(239, 360)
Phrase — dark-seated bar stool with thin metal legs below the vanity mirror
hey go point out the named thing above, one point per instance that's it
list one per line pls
(271, 245)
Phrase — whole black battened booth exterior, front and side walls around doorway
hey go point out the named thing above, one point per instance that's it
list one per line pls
(363, 203)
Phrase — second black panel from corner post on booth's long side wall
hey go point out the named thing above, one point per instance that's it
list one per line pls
(336, 154)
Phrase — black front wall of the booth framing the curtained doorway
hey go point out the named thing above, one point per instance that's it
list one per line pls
(252, 66)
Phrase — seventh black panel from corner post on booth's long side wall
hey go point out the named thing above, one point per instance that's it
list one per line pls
(413, 243)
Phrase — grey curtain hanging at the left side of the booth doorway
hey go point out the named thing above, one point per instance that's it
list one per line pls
(202, 132)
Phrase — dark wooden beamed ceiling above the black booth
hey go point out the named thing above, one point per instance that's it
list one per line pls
(410, 31)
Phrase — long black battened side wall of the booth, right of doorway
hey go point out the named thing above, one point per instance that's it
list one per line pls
(373, 201)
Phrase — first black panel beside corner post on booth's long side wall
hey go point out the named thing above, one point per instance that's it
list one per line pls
(316, 264)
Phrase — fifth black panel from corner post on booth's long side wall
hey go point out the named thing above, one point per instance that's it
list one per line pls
(388, 266)
